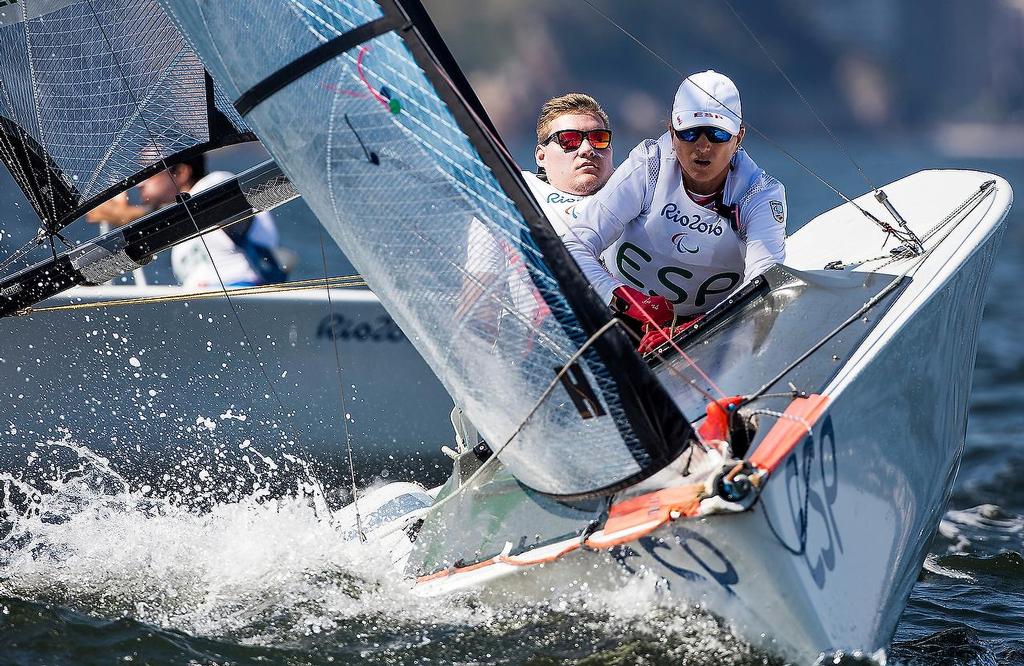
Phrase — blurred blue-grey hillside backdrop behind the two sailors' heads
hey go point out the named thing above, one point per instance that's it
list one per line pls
(952, 68)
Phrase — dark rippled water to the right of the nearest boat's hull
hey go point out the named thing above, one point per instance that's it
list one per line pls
(968, 607)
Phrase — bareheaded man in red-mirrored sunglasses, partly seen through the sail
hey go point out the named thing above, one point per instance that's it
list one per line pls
(574, 160)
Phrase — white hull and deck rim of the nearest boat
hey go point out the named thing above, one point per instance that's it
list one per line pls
(827, 559)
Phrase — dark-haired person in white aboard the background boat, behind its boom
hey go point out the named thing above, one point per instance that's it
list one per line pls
(240, 256)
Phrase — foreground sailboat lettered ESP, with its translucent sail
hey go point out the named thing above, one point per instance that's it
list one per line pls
(786, 462)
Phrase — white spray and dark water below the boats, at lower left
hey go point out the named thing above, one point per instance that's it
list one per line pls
(98, 572)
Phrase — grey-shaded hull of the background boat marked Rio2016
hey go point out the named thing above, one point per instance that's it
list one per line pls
(151, 379)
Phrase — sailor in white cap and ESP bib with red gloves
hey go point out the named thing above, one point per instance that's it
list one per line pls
(686, 221)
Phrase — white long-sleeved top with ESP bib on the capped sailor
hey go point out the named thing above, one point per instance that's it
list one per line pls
(644, 230)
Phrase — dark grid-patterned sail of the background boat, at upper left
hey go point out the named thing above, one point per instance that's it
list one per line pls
(97, 96)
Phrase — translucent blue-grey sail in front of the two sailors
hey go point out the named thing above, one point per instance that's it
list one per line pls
(367, 114)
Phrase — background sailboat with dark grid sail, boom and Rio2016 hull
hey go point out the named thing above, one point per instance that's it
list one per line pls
(78, 129)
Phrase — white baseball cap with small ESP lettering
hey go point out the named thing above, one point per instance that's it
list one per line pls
(707, 100)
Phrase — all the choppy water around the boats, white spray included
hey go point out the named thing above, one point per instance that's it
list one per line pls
(100, 571)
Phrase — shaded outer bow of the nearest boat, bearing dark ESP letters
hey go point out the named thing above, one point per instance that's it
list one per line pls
(880, 470)
